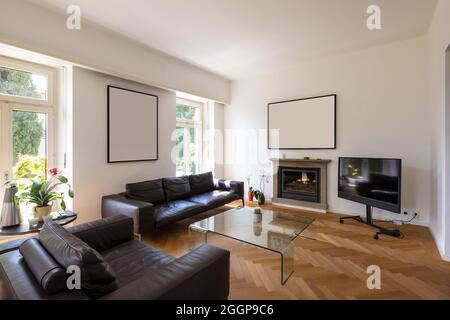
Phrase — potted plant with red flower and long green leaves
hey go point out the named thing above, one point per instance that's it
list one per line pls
(43, 194)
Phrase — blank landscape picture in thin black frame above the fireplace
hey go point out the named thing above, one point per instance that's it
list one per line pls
(308, 123)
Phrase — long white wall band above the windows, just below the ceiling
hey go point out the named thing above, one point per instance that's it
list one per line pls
(34, 28)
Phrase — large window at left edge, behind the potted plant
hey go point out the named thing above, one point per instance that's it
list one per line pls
(26, 121)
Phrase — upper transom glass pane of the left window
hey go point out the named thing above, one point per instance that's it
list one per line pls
(23, 84)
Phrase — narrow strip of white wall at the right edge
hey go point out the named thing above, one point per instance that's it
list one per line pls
(438, 41)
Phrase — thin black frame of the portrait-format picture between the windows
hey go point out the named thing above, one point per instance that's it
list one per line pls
(109, 87)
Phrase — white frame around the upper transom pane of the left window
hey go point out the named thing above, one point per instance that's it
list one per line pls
(28, 67)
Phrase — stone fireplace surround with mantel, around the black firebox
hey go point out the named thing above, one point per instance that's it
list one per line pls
(302, 163)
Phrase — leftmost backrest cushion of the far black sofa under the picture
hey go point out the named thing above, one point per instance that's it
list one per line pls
(149, 191)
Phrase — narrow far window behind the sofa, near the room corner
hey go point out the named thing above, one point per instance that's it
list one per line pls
(188, 137)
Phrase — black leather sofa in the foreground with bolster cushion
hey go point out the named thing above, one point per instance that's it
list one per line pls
(113, 266)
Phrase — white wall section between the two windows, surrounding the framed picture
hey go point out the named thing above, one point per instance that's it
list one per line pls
(93, 177)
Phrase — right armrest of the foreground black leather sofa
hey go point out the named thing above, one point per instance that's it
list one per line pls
(202, 274)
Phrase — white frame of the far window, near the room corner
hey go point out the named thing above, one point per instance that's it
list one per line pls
(192, 124)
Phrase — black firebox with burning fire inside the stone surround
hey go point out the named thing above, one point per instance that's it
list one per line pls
(299, 184)
